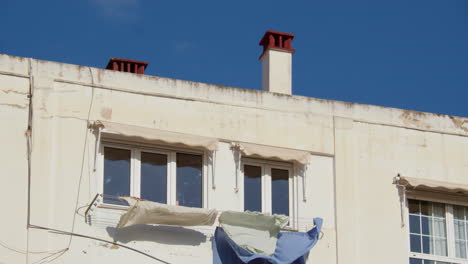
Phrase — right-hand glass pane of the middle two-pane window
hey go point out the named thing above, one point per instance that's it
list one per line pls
(280, 191)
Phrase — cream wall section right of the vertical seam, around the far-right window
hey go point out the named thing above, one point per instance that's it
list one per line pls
(368, 156)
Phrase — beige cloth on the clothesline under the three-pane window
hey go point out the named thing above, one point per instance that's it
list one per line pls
(146, 212)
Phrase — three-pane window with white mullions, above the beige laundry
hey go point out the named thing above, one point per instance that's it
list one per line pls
(164, 176)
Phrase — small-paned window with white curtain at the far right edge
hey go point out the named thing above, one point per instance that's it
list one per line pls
(438, 233)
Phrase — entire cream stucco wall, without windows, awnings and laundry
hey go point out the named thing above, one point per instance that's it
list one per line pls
(356, 150)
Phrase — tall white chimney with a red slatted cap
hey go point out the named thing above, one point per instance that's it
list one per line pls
(277, 62)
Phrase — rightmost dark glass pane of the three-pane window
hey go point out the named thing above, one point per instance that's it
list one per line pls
(189, 180)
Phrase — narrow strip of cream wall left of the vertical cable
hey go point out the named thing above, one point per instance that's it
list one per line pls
(13, 172)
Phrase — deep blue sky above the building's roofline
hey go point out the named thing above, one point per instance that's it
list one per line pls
(410, 54)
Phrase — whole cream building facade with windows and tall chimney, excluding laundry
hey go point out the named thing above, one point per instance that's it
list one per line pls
(72, 132)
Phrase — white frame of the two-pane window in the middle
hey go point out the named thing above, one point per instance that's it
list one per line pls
(266, 166)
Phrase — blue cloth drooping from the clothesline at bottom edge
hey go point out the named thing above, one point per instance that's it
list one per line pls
(291, 248)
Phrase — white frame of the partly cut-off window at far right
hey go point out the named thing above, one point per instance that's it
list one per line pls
(450, 231)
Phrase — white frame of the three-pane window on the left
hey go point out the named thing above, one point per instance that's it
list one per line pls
(135, 169)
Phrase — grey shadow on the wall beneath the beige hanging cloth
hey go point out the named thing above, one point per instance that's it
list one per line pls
(171, 235)
